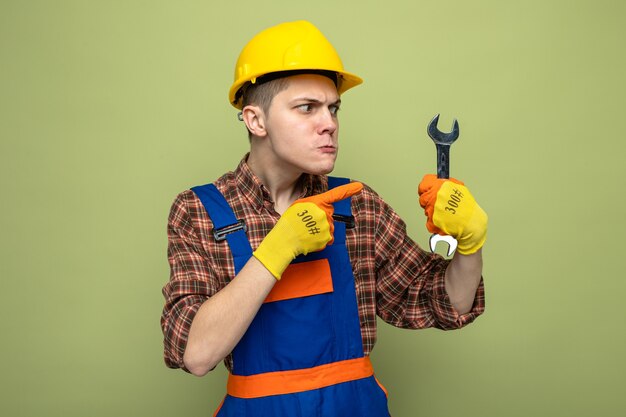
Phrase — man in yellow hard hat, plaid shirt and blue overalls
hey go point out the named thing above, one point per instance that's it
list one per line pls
(281, 270)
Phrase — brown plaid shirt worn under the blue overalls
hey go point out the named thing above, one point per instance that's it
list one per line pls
(394, 278)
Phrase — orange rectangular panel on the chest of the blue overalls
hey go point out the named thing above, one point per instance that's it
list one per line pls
(301, 280)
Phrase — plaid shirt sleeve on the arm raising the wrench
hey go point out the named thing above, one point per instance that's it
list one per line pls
(410, 286)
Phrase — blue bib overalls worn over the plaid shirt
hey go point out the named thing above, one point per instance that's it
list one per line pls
(300, 333)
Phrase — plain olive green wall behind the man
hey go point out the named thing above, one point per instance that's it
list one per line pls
(109, 109)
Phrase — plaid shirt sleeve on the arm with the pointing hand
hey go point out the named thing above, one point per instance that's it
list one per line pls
(191, 282)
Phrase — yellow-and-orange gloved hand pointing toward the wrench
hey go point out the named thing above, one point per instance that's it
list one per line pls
(306, 226)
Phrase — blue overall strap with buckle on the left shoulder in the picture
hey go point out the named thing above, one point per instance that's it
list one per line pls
(225, 224)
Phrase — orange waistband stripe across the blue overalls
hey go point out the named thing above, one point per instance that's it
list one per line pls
(287, 382)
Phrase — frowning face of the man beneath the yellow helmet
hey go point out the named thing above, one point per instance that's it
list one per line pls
(302, 126)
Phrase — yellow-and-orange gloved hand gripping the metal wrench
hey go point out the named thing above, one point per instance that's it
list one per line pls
(451, 210)
